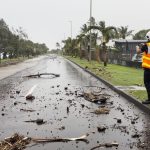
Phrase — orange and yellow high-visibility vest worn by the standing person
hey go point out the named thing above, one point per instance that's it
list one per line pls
(146, 57)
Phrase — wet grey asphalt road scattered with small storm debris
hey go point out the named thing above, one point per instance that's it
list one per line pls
(52, 98)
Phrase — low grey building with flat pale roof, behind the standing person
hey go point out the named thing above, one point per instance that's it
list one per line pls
(124, 53)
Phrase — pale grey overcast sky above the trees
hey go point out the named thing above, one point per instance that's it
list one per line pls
(48, 21)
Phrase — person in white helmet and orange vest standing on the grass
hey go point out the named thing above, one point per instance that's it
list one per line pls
(145, 49)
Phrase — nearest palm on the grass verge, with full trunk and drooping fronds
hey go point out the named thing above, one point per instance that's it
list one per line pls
(106, 35)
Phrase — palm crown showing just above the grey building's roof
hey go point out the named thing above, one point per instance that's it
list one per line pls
(123, 32)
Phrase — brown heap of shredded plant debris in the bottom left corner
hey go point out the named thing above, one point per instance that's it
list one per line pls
(15, 142)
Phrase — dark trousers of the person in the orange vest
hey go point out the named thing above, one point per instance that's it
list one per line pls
(147, 81)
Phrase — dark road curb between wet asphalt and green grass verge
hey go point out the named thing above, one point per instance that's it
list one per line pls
(122, 93)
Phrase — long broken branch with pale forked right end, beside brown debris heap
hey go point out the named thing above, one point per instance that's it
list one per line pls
(81, 138)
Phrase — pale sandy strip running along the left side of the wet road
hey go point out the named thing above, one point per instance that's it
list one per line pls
(12, 69)
